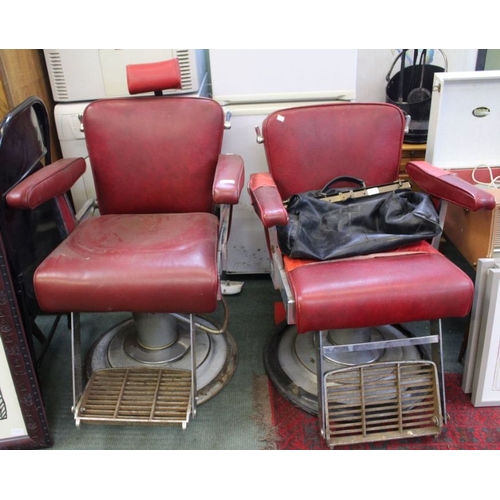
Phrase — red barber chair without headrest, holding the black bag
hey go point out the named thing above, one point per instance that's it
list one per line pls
(353, 349)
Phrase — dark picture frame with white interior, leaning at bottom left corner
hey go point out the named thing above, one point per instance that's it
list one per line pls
(23, 421)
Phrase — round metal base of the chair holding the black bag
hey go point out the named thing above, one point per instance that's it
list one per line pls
(290, 361)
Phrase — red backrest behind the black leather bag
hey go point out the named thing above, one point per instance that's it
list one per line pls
(308, 146)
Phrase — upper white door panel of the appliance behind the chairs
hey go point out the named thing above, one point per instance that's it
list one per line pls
(273, 75)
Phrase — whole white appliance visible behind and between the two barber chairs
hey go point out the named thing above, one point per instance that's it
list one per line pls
(250, 84)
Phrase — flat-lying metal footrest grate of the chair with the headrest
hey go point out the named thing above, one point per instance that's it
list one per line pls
(139, 396)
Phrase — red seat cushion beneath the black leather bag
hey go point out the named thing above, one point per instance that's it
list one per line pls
(412, 284)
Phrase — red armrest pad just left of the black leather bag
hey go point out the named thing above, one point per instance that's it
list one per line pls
(266, 200)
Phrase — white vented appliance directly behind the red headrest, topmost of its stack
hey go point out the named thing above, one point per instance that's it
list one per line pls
(89, 74)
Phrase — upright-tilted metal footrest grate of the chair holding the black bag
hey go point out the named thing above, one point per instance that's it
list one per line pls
(381, 401)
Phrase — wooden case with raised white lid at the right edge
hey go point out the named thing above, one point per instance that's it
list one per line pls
(464, 126)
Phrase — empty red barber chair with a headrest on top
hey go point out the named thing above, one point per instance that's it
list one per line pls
(154, 247)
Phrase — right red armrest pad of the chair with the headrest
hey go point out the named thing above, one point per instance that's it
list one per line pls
(229, 179)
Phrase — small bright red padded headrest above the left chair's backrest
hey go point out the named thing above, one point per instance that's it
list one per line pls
(151, 77)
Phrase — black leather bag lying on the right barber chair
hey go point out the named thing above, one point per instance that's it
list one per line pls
(337, 223)
